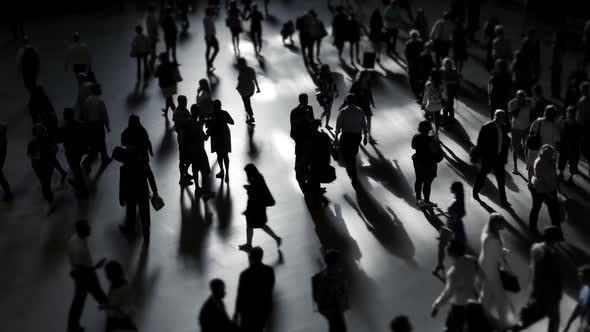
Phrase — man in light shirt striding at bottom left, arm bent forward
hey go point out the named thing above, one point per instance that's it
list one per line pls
(83, 273)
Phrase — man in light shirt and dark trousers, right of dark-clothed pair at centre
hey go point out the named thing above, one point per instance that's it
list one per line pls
(351, 128)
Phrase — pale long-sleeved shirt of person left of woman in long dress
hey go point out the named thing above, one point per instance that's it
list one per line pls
(462, 283)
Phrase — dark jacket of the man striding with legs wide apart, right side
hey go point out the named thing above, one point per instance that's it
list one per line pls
(487, 143)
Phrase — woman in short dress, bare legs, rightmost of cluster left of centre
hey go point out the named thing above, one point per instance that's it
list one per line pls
(218, 130)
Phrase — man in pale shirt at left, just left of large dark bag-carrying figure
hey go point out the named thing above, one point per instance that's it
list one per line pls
(95, 115)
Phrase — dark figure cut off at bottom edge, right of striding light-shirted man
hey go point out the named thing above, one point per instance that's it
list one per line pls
(120, 297)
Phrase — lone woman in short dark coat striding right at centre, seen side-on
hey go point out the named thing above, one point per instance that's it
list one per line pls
(259, 198)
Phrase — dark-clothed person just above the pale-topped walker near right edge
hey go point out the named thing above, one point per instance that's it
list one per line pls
(570, 144)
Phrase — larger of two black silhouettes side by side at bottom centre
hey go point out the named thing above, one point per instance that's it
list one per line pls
(255, 292)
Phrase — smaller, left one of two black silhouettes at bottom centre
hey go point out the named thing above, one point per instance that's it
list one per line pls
(213, 316)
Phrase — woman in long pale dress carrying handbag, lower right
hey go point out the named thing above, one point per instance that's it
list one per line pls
(492, 259)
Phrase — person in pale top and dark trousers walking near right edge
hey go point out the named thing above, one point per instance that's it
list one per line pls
(544, 187)
